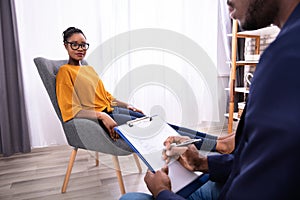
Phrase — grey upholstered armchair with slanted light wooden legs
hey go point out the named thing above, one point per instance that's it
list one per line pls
(82, 133)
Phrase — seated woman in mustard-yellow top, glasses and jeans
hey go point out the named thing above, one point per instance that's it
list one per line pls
(81, 94)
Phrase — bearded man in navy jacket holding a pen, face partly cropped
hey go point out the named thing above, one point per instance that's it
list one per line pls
(265, 163)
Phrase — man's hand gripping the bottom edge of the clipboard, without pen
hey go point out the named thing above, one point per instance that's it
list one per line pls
(158, 181)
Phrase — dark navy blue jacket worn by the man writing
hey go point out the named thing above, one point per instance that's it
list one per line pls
(266, 164)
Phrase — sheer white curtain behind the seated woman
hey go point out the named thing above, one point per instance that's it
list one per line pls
(164, 56)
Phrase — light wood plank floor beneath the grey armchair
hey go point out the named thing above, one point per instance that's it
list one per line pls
(40, 174)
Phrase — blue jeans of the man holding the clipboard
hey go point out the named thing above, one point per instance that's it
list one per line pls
(209, 191)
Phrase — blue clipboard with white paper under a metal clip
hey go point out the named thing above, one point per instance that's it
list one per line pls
(146, 136)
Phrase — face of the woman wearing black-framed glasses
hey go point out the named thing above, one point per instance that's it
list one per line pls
(76, 47)
